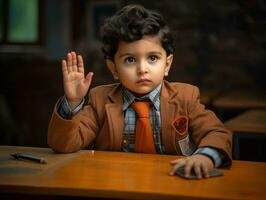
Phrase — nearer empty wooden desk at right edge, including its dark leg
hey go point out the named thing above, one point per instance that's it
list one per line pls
(250, 124)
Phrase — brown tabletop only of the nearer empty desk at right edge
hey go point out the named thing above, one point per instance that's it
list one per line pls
(251, 121)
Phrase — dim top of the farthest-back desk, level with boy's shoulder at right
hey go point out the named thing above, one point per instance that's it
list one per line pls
(241, 100)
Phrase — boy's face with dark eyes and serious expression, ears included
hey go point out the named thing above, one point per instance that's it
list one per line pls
(140, 65)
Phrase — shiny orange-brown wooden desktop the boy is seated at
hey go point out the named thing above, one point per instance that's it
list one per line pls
(123, 175)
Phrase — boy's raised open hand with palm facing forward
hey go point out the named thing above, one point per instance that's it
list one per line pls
(76, 85)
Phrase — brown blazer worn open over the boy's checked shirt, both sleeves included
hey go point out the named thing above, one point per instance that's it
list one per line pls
(100, 123)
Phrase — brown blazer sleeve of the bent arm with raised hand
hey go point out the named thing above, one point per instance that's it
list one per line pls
(70, 135)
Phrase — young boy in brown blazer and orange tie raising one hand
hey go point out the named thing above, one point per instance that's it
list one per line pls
(138, 48)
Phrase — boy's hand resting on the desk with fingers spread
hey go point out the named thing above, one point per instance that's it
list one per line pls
(198, 162)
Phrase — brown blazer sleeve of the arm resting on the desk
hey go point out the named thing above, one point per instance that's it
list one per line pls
(207, 130)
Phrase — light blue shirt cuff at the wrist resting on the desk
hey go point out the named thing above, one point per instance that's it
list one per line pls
(215, 155)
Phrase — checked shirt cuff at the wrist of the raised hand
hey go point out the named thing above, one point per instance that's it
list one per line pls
(65, 111)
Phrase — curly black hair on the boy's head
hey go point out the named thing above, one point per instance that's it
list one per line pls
(131, 23)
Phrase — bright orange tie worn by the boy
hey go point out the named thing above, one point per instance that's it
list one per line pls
(144, 136)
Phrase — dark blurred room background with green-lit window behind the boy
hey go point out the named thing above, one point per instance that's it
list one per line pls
(220, 47)
